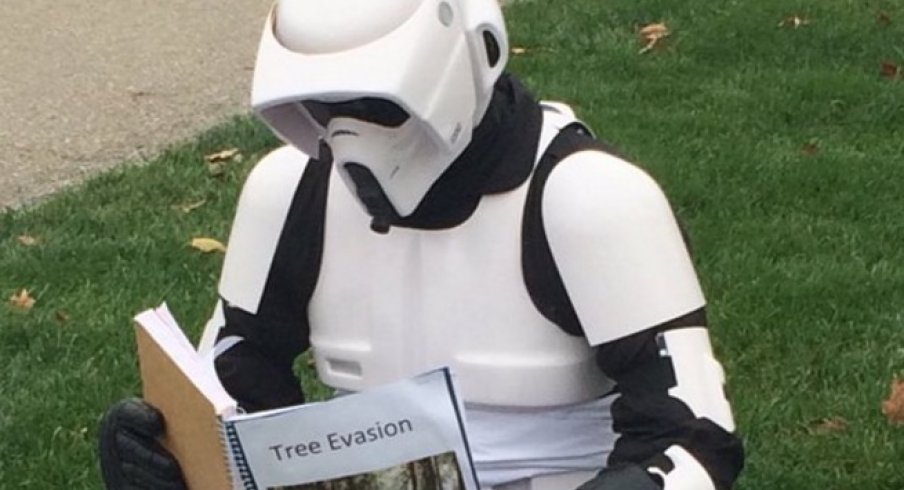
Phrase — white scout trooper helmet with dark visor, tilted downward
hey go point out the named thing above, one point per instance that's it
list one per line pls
(393, 87)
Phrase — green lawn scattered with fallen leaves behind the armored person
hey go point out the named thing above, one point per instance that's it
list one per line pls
(799, 252)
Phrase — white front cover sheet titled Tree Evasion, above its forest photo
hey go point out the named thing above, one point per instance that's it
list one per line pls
(359, 433)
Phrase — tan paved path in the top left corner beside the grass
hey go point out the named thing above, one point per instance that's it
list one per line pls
(87, 84)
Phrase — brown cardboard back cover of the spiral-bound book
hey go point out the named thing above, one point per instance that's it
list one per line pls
(193, 429)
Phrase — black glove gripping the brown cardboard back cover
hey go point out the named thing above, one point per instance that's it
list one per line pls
(130, 456)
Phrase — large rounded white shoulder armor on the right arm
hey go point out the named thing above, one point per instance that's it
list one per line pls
(618, 248)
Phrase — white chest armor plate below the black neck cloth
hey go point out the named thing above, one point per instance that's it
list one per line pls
(395, 305)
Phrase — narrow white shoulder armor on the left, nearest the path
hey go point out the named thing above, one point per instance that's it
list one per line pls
(262, 210)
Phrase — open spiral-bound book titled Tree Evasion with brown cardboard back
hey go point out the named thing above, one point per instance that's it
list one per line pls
(407, 434)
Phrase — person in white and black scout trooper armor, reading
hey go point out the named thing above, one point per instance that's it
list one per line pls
(428, 211)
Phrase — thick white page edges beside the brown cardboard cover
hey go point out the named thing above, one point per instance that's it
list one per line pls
(163, 328)
